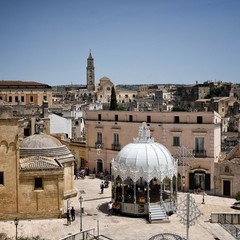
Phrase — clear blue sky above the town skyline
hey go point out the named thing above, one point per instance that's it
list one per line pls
(131, 41)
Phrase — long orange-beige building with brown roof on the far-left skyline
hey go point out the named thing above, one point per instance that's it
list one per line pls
(25, 93)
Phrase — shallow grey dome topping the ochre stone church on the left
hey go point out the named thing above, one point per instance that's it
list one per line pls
(40, 141)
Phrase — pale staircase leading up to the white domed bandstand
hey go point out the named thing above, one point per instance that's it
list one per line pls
(157, 213)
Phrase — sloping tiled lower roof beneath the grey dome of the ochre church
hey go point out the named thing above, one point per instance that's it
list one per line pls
(39, 163)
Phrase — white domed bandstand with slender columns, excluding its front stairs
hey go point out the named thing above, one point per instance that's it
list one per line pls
(140, 172)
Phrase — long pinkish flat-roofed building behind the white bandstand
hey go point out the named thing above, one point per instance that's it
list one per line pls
(197, 132)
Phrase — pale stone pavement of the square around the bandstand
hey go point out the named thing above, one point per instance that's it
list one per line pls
(121, 227)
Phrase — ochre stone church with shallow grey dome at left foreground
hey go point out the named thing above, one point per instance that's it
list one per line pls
(36, 173)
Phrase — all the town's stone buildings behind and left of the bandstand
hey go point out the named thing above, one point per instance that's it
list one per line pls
(48, 133)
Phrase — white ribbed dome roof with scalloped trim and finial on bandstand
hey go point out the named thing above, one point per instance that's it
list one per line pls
(144, 158)
